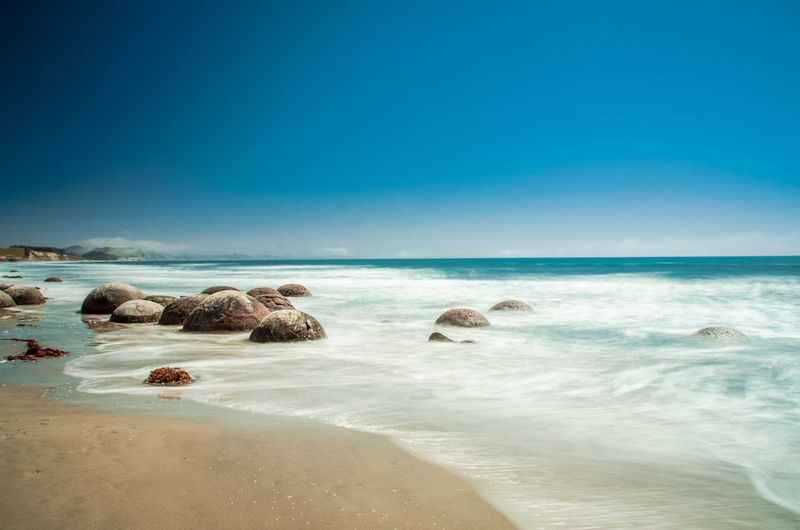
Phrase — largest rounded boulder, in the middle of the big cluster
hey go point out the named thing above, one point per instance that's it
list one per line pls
(226, 311)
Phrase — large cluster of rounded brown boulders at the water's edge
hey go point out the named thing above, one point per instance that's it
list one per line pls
(264, 311)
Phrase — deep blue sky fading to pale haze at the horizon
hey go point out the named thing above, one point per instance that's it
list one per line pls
(403, 128)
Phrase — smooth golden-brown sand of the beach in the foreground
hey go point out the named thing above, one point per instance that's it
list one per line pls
(67, 467)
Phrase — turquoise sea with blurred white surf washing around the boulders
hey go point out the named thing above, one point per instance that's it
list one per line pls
(595, 410)
